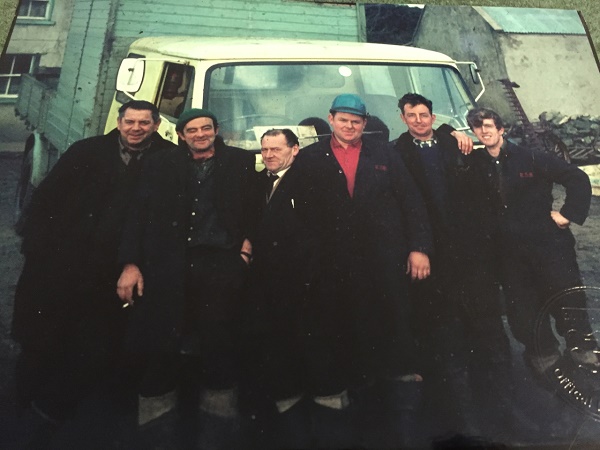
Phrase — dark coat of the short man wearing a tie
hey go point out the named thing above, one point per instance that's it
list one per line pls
(280, 277)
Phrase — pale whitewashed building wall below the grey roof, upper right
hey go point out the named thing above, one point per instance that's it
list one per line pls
(555, 72)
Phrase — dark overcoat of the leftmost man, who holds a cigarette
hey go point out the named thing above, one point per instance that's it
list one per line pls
(71, 237)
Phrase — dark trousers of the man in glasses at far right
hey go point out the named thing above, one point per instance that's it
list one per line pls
(534, 273)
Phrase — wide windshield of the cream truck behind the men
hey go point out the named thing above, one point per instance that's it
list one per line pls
(248, 99)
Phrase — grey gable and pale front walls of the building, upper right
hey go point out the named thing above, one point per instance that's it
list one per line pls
(554, 72)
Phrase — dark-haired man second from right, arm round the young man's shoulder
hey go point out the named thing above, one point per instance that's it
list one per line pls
(457, 314)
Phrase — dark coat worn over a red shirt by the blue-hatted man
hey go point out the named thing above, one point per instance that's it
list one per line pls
(363, 243)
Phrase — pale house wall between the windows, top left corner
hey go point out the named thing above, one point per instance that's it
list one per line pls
(48, 38)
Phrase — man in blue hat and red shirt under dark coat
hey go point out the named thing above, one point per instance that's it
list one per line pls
(373, 237)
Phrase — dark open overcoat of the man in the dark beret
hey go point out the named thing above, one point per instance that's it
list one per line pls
(155, 235)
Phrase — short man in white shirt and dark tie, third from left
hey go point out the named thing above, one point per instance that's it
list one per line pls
(283, 252)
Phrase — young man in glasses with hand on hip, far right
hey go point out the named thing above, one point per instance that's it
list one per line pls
(536, 246)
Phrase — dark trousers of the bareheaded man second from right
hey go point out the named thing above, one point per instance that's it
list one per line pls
(463, 347)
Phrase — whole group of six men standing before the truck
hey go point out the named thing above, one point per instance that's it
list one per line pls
(311, 304)
